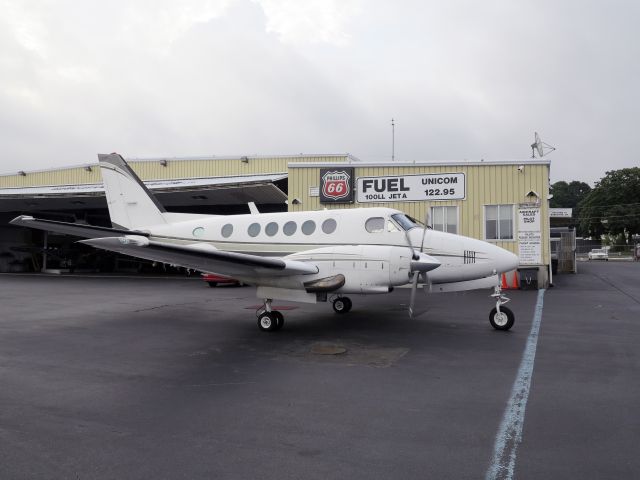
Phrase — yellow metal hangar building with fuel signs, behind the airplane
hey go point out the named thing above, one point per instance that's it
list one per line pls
(504, 202)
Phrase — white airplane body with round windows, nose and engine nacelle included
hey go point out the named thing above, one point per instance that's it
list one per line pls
(368, 243)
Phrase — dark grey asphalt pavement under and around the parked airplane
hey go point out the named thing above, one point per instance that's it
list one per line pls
(166, 378)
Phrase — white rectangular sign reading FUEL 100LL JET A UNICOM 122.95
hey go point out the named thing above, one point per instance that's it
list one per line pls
(412, 188)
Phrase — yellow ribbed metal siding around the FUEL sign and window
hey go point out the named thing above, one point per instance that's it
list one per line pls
(485, 185)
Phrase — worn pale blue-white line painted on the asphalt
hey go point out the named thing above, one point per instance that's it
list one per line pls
(509, 435)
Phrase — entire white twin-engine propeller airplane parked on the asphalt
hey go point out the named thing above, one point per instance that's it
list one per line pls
(297, 256)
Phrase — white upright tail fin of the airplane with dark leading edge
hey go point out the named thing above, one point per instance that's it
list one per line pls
(131, 204)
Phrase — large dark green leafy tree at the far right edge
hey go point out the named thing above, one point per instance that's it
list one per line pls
(613, 206)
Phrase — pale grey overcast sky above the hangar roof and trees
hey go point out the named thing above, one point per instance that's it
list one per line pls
(462, 79)
